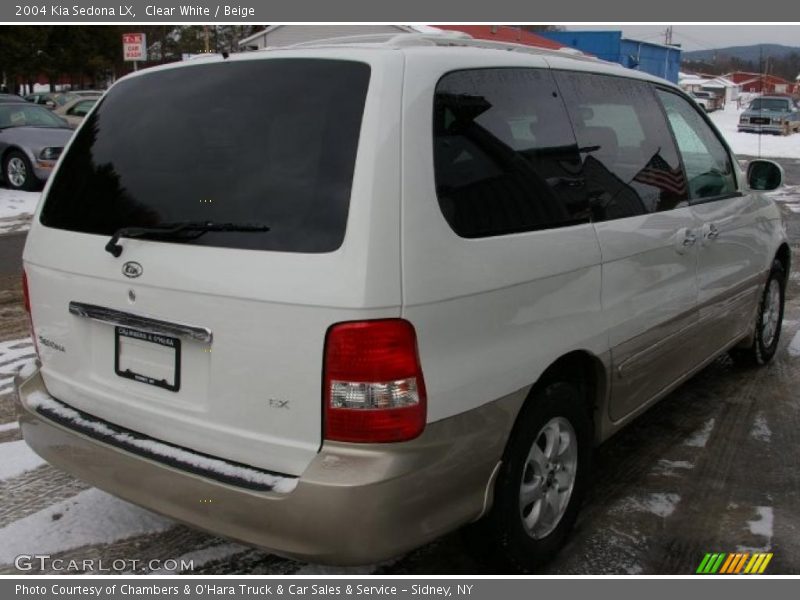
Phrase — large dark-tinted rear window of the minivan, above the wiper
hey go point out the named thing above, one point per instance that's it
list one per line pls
(269, 142)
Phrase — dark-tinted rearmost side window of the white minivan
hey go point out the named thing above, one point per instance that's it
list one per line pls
(505, 156)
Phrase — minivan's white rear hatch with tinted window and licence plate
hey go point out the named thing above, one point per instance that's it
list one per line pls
(213, 340)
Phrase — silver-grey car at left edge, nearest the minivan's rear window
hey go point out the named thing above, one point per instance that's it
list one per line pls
(31, 140)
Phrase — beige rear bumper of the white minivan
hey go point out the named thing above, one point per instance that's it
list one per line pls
(355, 504)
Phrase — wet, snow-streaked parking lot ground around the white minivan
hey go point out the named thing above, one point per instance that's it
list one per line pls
(712, 468)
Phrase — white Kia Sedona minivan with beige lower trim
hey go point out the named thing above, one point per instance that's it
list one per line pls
(339, 299)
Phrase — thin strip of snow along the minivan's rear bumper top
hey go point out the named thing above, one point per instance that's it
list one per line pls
(276, 483)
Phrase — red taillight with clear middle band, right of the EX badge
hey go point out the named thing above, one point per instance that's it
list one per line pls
(374, 390)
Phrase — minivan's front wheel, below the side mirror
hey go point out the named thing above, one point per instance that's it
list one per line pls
(768, 321)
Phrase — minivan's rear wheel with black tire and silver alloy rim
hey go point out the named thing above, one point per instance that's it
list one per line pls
(524, 534)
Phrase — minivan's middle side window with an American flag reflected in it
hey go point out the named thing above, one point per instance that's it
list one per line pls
(630, 165)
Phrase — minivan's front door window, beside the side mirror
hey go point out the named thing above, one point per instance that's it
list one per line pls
(708, 166)
